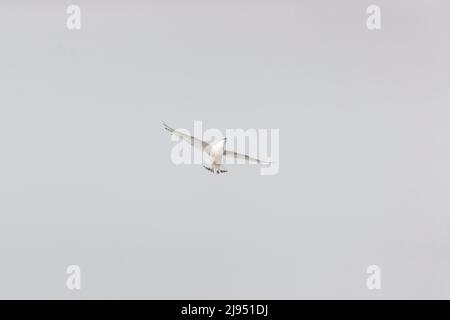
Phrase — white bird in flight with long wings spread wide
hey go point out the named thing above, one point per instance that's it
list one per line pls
(215, 150)
